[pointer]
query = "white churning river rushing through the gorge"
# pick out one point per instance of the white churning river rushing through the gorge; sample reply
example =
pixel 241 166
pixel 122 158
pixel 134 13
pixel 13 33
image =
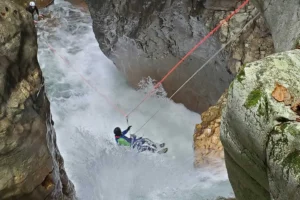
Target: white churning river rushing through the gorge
pixel 84 122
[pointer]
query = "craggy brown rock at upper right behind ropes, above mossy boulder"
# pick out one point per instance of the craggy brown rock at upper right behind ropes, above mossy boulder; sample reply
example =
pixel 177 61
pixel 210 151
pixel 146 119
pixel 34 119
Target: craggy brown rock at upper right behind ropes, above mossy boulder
pixel 254 43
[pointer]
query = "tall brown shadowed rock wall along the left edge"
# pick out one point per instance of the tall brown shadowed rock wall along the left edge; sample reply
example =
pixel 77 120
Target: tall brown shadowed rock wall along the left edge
pixel 31 166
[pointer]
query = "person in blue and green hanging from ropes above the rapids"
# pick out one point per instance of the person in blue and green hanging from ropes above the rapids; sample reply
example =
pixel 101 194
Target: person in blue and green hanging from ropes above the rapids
pixel 141 144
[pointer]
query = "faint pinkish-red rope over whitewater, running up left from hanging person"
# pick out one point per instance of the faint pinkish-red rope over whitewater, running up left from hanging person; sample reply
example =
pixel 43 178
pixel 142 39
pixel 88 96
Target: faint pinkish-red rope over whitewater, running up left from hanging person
pixel 87 82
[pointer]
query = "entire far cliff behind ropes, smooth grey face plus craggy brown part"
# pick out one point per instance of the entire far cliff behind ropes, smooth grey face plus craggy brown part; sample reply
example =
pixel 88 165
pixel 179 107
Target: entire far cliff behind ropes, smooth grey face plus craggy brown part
pixel 147 38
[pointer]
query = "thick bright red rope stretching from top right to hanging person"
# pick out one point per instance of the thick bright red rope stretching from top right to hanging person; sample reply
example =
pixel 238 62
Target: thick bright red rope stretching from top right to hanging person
pixel 189 53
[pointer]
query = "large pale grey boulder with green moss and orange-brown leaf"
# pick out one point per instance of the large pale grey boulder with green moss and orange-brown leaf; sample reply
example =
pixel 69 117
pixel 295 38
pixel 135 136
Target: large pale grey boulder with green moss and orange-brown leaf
pixel 260 131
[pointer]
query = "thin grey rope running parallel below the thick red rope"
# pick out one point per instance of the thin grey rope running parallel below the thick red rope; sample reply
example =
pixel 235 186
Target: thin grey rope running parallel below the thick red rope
pixel 205 64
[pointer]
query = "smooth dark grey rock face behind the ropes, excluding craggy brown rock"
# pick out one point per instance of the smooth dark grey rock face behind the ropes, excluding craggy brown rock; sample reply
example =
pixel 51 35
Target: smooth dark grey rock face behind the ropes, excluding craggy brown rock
pixel 147 38
